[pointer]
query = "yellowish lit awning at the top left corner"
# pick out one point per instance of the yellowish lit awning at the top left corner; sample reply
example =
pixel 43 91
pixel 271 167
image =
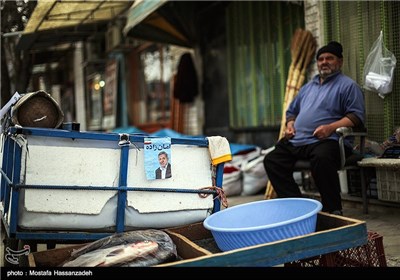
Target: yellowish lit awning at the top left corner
pixel 55 22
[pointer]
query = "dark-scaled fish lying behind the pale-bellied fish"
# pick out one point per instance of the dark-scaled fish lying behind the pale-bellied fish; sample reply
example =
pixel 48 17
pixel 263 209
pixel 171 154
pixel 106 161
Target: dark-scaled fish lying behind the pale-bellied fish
pixel 165 252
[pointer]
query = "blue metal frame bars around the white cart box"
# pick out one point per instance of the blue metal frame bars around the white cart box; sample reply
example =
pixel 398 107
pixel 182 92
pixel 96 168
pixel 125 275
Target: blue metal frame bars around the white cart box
pixel 10 186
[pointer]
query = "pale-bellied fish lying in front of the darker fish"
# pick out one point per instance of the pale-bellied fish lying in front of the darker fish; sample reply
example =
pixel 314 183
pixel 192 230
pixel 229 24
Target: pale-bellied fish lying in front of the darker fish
pixel 114 256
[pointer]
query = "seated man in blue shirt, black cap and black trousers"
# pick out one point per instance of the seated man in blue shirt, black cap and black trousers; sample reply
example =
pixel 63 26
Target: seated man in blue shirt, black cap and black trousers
pixel 330 100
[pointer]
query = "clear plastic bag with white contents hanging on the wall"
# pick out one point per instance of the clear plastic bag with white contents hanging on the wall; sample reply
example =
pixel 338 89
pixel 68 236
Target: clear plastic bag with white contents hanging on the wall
pixel 379 68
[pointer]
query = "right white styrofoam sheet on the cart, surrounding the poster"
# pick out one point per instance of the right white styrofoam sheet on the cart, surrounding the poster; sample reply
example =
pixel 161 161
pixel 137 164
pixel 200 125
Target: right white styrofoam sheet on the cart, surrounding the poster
pixel 191 169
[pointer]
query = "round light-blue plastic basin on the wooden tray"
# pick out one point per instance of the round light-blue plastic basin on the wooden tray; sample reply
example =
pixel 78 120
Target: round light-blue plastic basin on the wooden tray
pixel 262 222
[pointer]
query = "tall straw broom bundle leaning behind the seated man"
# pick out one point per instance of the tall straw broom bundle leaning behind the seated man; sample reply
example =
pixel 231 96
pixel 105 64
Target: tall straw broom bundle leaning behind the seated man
pixel 303 48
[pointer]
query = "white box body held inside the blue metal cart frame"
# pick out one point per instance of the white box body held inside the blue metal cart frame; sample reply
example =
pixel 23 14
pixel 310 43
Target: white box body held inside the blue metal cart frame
pixel 48 161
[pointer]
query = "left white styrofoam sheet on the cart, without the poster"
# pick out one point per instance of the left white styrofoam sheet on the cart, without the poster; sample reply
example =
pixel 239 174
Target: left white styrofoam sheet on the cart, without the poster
pixel 69 162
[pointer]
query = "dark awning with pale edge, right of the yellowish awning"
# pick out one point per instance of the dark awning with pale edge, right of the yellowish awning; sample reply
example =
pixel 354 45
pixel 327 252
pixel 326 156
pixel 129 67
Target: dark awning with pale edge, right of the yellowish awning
pixel 145 20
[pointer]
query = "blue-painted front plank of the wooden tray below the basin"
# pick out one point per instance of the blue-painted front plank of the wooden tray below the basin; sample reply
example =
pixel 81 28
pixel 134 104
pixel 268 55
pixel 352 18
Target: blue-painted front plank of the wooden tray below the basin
pixel 287 250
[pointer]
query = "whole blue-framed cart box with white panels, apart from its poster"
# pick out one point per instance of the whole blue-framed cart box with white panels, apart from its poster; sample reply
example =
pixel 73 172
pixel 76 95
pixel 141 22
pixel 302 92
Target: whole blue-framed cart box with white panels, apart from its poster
pixel 69 185
